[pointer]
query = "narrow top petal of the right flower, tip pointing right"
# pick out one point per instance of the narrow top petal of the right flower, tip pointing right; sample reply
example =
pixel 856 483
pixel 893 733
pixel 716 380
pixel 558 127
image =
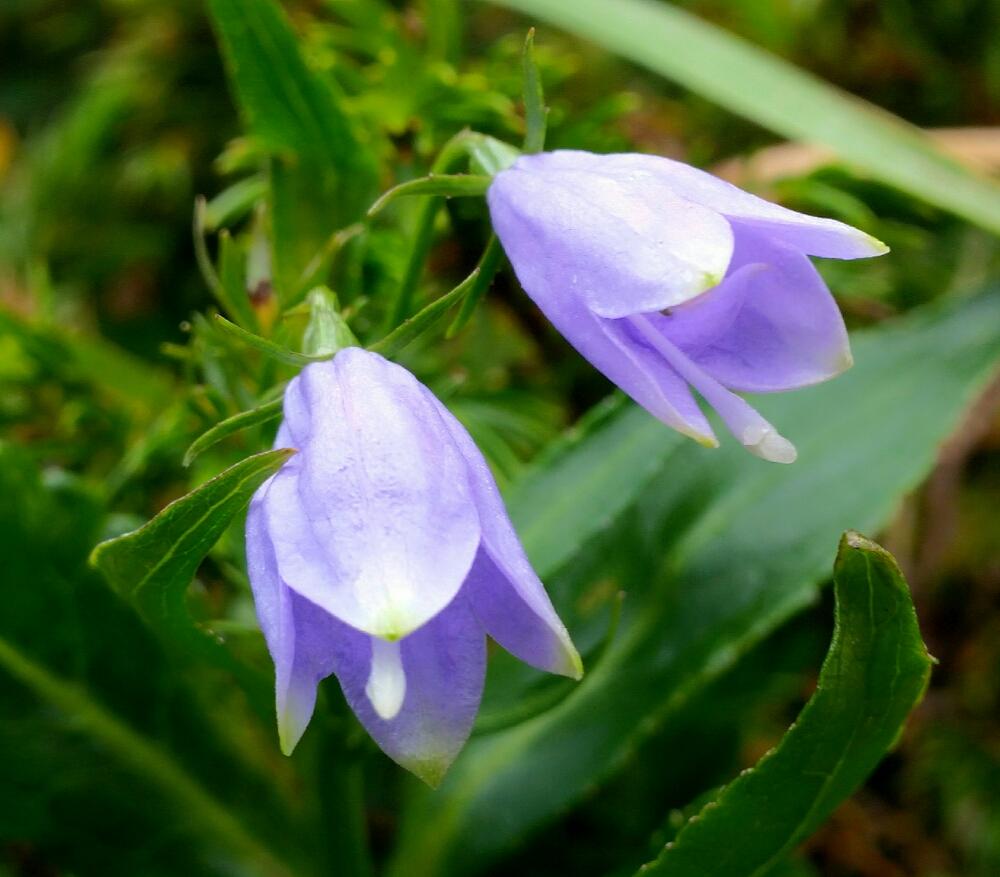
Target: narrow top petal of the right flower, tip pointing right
pixel 814 235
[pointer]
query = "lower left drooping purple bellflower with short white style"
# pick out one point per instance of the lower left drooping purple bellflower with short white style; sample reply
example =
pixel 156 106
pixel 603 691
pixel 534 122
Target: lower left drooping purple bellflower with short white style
pixel 382 553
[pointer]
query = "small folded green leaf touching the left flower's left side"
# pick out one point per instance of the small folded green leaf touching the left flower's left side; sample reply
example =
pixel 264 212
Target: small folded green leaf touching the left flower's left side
pixel 153 566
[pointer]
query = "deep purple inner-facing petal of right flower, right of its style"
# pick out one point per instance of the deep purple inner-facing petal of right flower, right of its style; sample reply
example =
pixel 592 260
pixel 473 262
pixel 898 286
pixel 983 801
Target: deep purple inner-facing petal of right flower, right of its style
pixel 771 325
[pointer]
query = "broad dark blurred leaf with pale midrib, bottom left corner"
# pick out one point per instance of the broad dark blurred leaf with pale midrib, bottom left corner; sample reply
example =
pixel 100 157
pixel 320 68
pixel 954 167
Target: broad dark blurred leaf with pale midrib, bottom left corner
pixel 99 717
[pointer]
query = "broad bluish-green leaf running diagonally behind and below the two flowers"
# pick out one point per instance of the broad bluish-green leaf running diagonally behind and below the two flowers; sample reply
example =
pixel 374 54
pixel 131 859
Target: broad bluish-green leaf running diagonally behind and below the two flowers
pixel 723 548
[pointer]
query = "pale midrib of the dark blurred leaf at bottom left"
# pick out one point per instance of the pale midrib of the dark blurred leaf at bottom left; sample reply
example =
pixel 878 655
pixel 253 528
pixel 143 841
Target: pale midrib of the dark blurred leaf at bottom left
pixel 145 760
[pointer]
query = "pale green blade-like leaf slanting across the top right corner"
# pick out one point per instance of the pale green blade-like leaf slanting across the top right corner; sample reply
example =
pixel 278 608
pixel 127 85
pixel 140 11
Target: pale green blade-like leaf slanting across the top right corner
pixel 774 93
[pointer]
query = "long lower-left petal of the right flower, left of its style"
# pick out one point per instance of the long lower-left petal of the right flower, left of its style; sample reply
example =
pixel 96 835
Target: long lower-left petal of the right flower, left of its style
pixel 538 265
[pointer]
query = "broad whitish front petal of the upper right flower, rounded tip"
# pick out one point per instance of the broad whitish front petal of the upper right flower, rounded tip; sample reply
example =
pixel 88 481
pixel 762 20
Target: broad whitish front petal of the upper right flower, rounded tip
pixel 621 243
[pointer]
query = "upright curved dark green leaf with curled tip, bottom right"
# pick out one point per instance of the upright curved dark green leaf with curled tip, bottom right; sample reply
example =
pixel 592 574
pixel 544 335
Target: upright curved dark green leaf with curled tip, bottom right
pixel 875 673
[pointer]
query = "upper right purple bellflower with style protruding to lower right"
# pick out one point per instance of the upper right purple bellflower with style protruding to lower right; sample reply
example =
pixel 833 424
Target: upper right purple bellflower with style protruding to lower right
pixel 668 279
